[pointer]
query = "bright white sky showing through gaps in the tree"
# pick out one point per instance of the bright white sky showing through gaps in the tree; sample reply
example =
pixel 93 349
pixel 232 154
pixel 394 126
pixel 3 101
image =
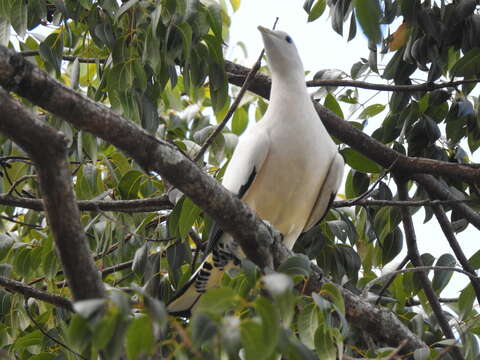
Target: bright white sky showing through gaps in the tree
pixel 321 48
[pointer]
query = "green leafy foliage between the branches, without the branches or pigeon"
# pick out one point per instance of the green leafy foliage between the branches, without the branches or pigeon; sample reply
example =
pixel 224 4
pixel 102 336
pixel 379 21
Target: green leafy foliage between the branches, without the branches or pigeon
pixel 161 65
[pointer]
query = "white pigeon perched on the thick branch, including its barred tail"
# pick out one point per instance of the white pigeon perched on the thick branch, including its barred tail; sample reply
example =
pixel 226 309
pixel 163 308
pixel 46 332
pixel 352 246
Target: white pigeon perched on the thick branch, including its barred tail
pixel 286 167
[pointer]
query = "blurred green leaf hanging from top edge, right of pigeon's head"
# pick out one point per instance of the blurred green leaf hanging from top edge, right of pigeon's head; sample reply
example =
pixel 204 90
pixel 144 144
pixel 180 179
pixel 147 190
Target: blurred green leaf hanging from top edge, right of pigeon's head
pixel 368 14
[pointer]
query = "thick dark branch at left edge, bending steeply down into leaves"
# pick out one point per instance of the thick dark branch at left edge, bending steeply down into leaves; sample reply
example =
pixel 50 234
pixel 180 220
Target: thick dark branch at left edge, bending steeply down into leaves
pixel 48 149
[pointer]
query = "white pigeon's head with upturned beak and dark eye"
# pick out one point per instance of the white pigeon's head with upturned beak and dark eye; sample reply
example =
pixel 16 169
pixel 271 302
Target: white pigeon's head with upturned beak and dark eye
pixel 282 54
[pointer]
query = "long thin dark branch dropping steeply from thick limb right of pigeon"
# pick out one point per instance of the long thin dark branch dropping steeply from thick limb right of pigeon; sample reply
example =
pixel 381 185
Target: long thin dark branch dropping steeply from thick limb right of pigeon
pixel 414 256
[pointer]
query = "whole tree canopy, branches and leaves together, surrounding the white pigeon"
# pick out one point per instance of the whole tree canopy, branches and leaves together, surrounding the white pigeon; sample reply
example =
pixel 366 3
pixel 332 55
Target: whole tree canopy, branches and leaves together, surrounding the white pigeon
pixel 113 109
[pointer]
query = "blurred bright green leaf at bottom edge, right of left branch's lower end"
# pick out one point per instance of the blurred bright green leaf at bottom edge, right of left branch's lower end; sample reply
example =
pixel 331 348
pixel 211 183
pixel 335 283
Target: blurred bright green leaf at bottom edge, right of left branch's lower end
pixel 139 339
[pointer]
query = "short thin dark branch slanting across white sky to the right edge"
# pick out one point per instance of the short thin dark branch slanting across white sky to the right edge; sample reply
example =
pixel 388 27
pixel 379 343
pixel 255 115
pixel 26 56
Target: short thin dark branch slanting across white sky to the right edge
pixel 452 240
